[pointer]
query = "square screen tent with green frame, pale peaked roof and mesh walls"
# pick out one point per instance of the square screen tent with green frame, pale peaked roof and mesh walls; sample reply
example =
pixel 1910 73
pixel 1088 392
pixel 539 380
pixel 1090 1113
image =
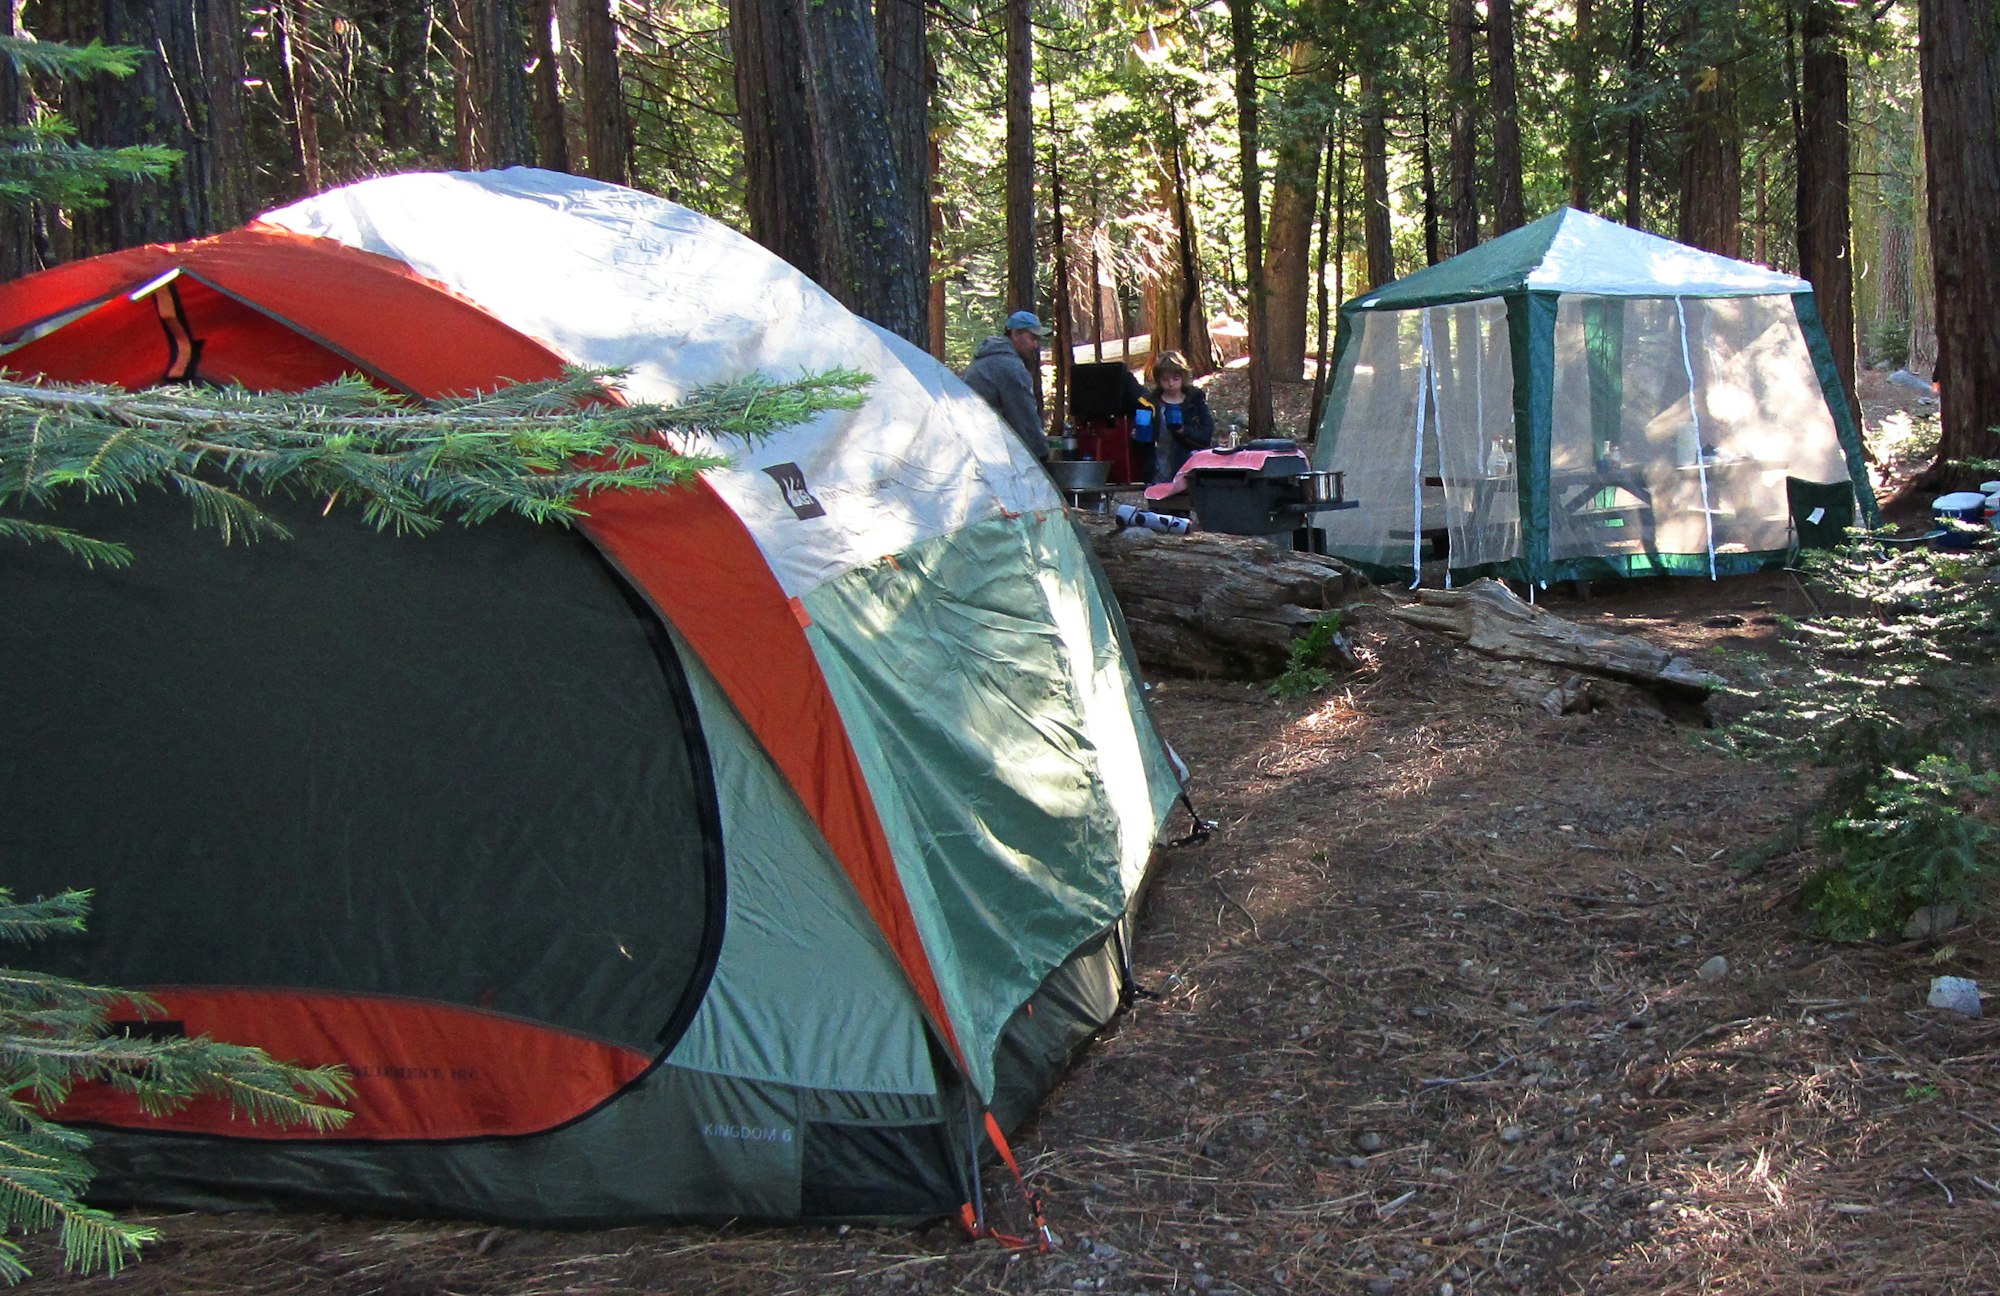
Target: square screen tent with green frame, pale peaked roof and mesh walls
pixel 1579 399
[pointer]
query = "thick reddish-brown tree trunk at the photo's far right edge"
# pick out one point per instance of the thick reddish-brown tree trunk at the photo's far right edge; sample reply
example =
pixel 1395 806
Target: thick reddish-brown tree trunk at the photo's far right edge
pixel 1959 57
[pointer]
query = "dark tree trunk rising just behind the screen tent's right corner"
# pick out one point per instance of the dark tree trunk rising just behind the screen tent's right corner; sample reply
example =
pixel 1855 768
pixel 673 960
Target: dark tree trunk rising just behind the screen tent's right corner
pixel 1823 185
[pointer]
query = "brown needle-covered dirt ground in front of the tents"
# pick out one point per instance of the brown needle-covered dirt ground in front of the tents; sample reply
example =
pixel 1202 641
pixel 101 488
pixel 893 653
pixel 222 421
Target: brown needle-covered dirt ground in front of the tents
pixel 1425 1017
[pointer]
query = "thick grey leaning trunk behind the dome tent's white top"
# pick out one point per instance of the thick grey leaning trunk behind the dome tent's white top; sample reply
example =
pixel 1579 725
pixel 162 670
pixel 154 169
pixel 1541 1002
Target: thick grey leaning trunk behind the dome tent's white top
pixel 869 247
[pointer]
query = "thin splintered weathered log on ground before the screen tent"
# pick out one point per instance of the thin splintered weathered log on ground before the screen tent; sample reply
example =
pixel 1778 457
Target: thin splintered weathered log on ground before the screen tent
pixel 1493 621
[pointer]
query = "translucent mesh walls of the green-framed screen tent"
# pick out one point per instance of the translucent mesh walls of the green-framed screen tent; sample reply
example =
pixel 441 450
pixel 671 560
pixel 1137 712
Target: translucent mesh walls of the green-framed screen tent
pixel 1675 425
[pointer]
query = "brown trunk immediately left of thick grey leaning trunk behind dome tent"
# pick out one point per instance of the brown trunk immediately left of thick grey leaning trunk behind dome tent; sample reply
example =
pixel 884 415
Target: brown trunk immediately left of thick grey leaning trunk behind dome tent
pixel 779 165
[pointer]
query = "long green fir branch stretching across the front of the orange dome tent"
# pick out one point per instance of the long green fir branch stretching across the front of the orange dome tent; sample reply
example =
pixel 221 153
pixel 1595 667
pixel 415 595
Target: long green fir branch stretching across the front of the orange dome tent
pixel 535 449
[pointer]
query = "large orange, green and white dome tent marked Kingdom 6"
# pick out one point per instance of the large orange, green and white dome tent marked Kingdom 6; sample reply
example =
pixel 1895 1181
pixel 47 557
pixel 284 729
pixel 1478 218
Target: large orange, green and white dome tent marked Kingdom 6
pixel 745 853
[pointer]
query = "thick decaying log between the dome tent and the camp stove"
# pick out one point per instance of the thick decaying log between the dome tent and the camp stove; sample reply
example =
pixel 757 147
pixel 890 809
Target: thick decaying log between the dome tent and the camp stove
pixel 1213 605
